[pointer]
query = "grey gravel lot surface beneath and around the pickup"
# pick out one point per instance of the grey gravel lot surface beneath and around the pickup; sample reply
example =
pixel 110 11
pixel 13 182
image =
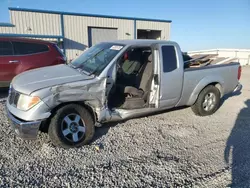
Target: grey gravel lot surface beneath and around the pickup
pixel 172 149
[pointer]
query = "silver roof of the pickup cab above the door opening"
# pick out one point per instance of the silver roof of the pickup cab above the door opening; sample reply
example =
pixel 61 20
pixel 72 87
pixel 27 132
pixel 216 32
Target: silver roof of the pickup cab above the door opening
pixel 143 41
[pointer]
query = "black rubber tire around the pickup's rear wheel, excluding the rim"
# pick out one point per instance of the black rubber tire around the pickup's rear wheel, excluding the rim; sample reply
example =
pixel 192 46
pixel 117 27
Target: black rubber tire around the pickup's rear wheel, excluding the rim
pixel 198 108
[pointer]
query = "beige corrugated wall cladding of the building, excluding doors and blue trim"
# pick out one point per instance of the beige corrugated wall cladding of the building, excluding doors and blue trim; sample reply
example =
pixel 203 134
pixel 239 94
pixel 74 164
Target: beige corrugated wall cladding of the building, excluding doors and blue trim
pixel 76 38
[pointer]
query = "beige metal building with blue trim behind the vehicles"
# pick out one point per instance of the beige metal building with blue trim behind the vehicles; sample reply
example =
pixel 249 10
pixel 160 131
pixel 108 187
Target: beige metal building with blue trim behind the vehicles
pixel 77 31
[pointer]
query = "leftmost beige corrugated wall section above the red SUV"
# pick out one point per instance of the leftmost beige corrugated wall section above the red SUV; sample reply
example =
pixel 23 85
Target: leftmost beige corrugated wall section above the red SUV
pixel 39 23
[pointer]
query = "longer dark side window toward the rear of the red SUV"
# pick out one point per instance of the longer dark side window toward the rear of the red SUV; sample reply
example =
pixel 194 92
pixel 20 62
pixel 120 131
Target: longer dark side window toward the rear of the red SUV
pixel 25 48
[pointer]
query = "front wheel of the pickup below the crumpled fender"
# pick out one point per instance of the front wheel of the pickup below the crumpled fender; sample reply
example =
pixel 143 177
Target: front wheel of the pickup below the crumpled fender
pixel 71 126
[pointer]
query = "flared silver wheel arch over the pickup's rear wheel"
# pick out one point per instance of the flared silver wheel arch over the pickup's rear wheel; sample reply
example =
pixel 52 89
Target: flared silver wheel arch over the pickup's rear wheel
pixel 216 80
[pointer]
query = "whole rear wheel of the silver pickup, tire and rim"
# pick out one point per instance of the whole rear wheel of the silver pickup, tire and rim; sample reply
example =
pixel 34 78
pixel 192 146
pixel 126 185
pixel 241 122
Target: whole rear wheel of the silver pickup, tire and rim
pixel 207 102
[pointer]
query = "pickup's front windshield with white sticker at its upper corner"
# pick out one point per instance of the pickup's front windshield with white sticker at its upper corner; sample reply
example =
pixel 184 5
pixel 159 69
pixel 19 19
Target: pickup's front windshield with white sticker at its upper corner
pixel 96 58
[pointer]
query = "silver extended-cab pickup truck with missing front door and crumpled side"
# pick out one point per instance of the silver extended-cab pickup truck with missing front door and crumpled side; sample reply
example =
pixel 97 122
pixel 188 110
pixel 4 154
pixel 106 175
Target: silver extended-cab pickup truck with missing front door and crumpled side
pixel 113 81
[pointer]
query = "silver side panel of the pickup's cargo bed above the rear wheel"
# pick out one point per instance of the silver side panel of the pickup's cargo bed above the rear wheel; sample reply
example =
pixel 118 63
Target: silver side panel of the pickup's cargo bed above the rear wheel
pixel 197 79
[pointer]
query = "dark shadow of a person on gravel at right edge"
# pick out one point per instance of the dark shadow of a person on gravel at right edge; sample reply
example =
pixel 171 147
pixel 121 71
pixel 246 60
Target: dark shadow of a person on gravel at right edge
pixel 239 143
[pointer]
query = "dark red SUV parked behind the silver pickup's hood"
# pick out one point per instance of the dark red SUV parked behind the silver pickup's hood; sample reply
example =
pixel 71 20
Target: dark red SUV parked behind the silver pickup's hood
pixel 21 54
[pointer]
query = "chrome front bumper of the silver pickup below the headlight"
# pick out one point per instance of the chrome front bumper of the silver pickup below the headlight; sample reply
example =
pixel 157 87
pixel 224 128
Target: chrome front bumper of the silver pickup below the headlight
pixel 25 130
